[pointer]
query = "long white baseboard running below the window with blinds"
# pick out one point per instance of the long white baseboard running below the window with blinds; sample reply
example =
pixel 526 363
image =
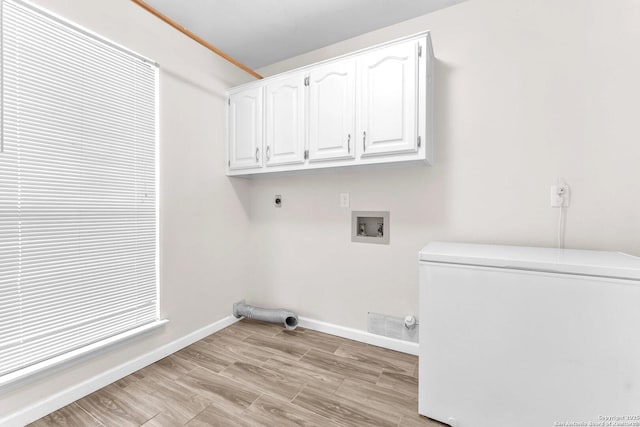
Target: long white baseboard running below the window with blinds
pixel 52 403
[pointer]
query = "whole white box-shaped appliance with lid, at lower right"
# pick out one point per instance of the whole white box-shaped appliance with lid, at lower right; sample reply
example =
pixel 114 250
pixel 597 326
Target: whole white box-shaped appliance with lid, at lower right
pixel 529 337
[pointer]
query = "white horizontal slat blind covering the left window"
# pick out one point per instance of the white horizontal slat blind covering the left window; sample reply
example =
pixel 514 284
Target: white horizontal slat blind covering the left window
pixel 78 216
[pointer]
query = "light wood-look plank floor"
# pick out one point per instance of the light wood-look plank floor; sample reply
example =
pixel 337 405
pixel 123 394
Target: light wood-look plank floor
pixel 257 374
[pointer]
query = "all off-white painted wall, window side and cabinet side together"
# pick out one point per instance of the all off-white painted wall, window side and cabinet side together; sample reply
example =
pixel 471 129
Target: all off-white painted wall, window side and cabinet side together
pixel 526 91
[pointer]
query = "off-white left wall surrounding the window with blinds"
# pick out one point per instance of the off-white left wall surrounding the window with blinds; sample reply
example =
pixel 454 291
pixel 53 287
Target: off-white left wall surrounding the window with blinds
pixel 203 214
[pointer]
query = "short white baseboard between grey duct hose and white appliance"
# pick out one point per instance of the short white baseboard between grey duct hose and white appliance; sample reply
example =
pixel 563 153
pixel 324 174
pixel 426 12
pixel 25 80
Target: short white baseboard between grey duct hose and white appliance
pixel 358 335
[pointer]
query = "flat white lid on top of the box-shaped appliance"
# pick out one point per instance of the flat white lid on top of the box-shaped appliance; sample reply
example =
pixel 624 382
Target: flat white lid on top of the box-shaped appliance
pixel 572 261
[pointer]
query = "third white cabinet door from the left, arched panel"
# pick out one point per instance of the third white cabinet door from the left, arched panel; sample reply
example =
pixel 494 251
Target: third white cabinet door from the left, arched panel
pixel 332 111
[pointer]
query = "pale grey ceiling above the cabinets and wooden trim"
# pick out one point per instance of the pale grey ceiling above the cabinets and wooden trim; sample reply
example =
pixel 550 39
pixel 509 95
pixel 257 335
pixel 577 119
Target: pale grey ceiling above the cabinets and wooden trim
pixel 262 32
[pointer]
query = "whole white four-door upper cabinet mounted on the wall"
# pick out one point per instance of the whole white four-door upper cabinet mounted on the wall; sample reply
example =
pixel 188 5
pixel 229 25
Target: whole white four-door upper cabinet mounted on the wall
pixel 370 107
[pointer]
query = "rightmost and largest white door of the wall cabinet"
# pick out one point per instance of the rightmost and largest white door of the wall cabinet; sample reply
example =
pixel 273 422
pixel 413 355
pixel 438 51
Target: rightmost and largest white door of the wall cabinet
pixel 389 99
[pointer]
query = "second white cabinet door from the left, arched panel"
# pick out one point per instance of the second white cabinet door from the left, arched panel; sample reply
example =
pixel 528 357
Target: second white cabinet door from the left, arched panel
pixel 285 121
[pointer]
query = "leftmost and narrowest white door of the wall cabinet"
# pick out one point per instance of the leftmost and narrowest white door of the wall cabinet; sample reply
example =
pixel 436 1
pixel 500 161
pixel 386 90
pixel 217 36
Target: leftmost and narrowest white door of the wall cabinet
pixel 245 129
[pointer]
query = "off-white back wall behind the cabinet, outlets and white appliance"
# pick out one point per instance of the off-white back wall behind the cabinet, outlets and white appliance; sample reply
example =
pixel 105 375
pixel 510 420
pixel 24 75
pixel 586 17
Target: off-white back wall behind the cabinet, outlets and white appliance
pixel 526 91
